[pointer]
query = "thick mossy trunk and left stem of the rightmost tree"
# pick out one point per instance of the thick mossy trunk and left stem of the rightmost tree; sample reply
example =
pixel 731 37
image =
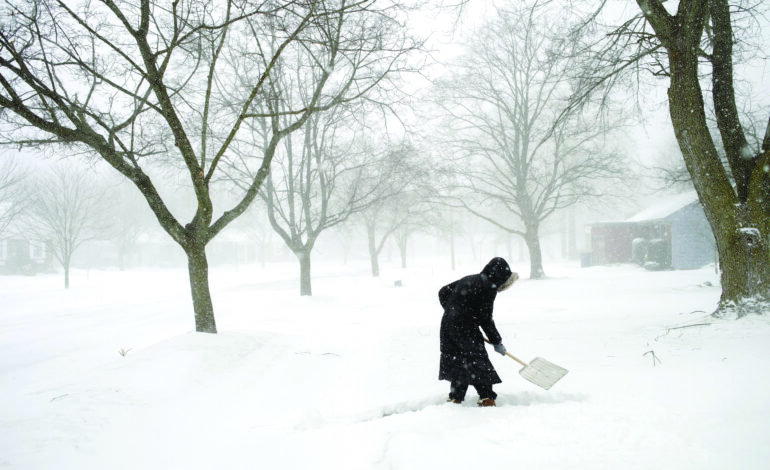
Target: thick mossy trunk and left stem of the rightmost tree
pixel 740 227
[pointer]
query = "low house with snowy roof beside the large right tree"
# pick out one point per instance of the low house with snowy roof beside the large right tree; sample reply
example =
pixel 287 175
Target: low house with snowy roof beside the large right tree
pixel 671 234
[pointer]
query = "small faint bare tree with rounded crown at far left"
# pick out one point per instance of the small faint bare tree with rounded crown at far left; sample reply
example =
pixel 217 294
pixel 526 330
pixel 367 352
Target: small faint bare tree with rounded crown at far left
pixel 67 208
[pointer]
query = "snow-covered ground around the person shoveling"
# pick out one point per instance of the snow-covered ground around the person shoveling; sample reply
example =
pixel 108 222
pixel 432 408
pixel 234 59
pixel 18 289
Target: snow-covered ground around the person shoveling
pixel 346 379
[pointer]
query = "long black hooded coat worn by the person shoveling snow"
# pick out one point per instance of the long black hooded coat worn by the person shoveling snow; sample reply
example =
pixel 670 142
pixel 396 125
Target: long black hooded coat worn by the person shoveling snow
pixel 468 305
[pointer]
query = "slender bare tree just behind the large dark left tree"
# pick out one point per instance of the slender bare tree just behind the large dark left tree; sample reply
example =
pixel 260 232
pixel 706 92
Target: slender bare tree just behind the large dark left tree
pixel 322 178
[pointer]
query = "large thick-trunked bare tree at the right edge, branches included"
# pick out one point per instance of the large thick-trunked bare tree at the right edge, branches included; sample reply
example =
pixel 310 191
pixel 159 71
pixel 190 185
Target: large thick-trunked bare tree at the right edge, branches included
pixel 693 45
